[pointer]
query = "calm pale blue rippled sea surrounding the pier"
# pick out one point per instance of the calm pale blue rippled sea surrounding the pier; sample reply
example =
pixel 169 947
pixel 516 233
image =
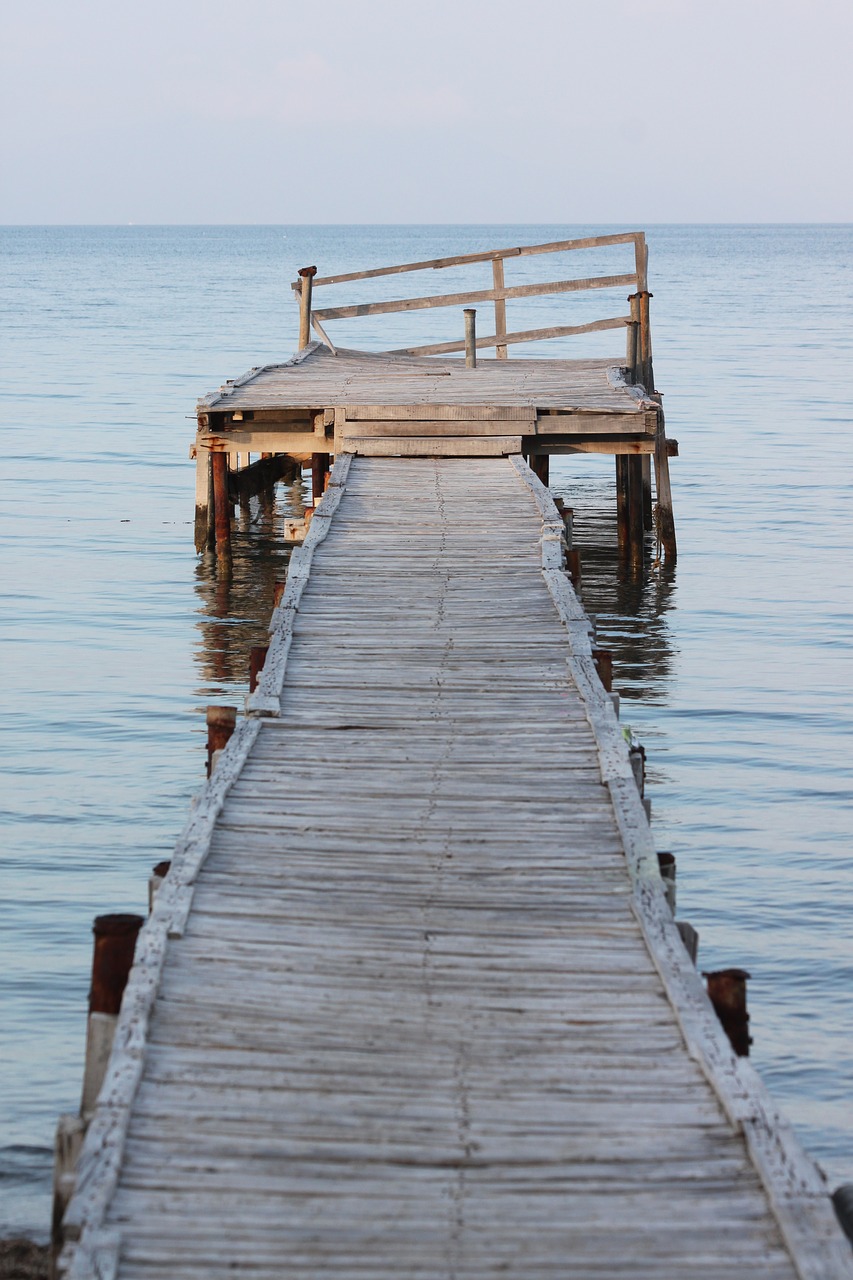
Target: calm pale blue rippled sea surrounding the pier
pixel 736 669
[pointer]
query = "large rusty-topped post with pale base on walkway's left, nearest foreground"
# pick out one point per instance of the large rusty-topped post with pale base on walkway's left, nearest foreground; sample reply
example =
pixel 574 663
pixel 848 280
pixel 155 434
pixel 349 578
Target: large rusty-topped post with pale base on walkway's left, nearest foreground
pixel 112 959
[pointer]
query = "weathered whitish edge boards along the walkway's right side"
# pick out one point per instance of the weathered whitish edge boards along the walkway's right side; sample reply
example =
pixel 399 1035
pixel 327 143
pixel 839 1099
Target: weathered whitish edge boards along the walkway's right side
pixel 796 1188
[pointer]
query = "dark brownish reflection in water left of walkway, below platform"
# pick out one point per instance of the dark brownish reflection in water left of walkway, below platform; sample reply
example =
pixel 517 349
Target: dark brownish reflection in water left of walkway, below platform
pixel 235 607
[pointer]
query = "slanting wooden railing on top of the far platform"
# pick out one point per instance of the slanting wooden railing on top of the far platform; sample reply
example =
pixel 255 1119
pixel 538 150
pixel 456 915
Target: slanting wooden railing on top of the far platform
pixel 638 346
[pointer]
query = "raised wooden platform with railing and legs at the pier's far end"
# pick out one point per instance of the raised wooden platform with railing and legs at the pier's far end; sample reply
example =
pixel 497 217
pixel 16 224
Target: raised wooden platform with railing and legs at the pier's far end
pixel 423 401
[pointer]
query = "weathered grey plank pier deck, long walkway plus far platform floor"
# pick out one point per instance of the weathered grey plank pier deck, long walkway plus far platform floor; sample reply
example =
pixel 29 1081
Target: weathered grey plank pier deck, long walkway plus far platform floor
pixel 412 1000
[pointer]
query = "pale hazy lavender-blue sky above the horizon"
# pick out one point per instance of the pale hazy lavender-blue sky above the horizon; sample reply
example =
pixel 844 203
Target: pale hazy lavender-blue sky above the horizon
pixel 444 111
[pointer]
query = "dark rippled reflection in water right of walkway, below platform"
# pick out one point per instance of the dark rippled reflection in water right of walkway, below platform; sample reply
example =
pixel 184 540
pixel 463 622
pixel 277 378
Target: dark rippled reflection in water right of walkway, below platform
pixel 630 609
